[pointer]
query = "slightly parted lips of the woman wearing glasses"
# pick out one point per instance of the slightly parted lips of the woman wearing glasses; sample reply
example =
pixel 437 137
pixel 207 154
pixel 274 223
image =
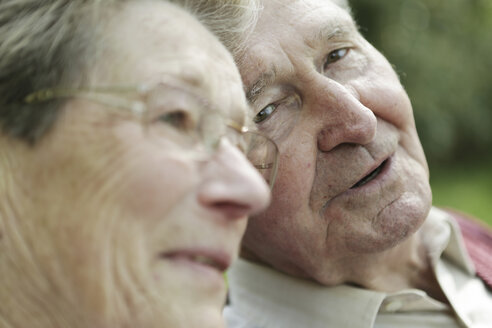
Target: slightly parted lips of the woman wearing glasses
pixel 216 260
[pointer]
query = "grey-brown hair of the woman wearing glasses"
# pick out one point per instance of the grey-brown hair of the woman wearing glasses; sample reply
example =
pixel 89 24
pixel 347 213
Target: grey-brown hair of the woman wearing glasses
pixel 44 44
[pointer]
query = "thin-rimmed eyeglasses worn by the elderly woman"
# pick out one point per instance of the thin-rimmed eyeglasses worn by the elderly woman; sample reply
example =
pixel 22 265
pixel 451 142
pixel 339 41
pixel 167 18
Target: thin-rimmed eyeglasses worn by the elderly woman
pixel 180 116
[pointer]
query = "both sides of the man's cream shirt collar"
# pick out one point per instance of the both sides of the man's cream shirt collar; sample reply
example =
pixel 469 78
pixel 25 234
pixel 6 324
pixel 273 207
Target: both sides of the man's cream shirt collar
pixel 262 295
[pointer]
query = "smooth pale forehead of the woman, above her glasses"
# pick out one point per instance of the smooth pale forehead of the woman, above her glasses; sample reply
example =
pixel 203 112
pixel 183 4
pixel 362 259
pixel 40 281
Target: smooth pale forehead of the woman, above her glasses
pixel 156 43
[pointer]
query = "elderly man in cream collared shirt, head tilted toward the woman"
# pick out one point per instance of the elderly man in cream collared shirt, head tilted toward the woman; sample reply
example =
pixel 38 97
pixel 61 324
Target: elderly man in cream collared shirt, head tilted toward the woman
pixel 351 238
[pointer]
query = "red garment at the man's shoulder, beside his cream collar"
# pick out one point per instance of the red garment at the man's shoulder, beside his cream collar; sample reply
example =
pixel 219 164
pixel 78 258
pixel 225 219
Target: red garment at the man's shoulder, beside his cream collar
pixel 478 242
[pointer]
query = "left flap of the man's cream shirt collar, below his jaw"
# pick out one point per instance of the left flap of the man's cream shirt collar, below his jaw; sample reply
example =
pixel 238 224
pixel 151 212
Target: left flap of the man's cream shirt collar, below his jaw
pixel 264 295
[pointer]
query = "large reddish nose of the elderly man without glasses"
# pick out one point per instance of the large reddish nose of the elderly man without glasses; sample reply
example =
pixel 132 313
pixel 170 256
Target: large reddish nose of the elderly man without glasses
pixel 343 117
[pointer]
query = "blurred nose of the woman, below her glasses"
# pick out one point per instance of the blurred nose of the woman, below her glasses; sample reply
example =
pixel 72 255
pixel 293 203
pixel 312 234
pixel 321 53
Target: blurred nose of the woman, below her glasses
pixel 232 185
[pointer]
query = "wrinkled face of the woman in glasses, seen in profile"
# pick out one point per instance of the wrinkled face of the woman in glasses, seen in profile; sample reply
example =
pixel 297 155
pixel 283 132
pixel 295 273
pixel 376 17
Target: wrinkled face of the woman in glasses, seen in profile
pixel 135 230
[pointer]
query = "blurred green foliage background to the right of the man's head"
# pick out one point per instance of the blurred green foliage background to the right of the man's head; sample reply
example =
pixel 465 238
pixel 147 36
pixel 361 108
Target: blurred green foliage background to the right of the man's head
pixel 442 51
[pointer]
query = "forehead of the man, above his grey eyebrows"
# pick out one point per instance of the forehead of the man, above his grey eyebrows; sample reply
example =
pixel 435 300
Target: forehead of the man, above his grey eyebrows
pixel 320 23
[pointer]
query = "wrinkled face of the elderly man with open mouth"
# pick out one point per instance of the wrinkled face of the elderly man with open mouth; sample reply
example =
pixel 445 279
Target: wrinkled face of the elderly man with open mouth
pixel 353 179
